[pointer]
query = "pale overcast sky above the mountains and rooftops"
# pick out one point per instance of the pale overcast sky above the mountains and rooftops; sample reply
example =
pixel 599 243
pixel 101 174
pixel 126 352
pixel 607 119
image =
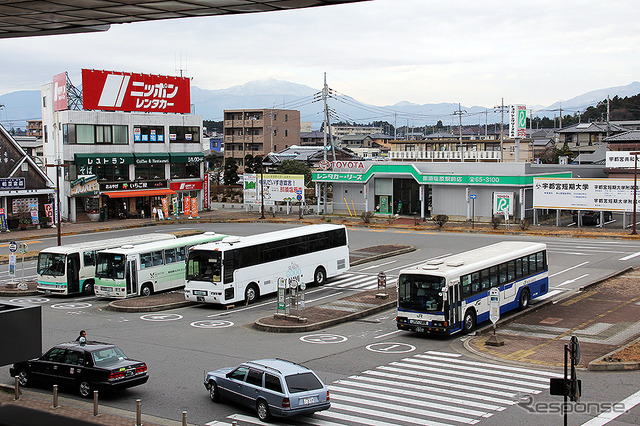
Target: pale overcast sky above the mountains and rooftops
pixel 379 52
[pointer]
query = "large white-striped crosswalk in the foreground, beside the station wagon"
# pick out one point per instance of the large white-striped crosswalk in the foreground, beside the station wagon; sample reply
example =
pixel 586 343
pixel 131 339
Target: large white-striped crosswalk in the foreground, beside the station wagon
pixel 430 388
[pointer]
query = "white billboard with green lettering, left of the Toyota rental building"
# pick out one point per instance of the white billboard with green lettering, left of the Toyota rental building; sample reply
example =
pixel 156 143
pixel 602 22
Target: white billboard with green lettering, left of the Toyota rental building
pixel 276 188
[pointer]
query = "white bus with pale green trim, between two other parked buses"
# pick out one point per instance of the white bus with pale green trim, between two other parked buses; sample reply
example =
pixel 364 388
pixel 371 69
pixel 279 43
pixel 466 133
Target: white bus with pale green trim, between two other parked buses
pixel 144 269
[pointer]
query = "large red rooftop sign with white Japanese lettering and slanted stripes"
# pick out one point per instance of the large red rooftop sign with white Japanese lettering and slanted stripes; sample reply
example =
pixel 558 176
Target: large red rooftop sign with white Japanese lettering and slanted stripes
pixel 120 91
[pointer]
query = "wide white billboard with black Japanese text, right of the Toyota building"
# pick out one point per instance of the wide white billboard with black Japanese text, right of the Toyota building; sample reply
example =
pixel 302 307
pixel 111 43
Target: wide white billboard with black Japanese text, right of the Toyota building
pixel 583 194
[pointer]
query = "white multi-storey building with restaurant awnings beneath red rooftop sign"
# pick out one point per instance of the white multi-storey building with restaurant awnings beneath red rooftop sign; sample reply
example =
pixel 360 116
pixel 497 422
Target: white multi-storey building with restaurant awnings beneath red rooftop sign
pixel 121 163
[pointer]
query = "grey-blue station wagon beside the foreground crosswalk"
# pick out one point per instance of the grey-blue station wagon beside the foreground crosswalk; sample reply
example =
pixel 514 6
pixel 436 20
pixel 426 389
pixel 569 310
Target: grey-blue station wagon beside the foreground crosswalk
pixel 273 387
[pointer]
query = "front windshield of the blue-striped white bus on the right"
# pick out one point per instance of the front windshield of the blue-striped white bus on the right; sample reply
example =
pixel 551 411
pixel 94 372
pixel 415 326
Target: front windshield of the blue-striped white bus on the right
pixel 420 292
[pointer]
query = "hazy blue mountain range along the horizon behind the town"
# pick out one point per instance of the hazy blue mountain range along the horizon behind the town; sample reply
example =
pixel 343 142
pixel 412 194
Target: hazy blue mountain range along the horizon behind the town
pixel 270 93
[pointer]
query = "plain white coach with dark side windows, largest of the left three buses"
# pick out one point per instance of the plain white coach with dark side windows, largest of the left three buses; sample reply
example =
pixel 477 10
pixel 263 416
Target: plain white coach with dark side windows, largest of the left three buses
pixel 245 268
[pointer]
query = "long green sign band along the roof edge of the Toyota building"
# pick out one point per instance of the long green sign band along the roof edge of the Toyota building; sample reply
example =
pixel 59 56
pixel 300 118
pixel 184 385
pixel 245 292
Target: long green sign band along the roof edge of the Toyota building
pixel 452 179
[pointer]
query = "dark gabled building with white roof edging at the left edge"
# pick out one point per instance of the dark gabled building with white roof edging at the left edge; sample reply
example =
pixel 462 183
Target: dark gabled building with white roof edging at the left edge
pixel 24 187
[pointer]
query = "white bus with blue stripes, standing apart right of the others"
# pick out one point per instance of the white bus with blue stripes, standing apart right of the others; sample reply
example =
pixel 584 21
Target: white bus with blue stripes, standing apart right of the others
pixel 451 294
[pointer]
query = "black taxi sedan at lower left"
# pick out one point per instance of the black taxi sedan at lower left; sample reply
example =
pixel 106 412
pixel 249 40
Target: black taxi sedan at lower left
pixel 84 366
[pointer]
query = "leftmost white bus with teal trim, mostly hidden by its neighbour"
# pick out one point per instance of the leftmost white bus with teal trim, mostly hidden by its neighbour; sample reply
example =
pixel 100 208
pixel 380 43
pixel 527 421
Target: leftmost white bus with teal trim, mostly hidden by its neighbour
pixel 71 268
